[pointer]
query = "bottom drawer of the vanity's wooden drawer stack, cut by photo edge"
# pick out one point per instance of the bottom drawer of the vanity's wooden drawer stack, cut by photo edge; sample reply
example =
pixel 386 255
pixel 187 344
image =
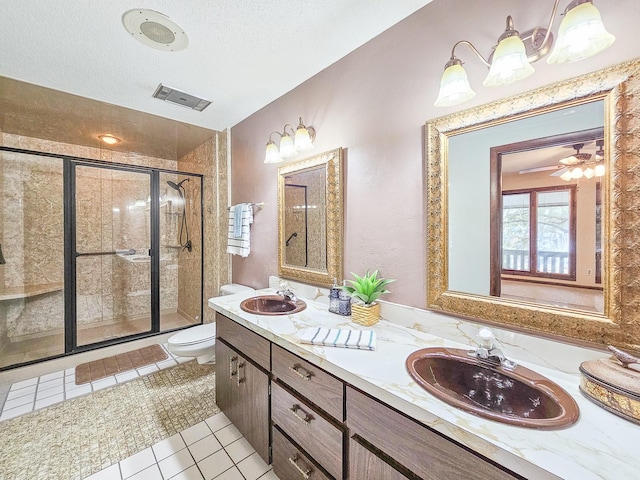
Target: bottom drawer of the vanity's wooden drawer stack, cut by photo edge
pixel 290 463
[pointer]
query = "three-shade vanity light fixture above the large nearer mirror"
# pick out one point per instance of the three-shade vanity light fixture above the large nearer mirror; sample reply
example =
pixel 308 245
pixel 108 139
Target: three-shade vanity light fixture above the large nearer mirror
pixel 581 35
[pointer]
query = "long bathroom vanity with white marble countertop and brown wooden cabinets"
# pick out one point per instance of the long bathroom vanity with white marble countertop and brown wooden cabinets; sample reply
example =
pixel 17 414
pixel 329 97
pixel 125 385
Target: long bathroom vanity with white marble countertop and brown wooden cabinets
pixel 339 413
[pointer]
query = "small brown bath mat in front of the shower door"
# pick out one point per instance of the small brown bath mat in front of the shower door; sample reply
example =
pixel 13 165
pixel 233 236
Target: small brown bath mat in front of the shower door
pixel 105 367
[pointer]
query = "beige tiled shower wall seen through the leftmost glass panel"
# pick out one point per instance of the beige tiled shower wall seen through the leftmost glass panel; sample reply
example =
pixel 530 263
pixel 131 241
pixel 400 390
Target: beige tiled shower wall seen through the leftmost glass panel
pixel 32 240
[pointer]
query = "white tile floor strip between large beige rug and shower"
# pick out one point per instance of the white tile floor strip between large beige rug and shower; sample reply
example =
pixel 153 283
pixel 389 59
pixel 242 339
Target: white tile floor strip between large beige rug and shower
pixel 39 392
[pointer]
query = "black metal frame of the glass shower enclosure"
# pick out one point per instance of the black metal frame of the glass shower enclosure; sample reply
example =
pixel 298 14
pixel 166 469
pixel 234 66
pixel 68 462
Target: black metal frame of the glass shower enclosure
pixel 70 307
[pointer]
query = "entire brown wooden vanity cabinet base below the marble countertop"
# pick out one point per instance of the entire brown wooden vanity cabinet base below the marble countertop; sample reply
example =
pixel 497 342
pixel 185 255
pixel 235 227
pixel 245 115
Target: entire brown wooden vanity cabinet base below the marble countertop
pixel 322 428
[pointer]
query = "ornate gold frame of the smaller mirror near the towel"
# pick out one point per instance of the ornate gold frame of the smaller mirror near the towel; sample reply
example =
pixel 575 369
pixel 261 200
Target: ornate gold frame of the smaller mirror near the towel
pixel 332 160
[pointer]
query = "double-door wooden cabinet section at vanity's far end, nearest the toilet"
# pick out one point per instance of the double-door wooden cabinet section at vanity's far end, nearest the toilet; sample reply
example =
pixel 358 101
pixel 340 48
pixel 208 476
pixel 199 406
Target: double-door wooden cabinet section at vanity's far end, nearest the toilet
pixel 242 383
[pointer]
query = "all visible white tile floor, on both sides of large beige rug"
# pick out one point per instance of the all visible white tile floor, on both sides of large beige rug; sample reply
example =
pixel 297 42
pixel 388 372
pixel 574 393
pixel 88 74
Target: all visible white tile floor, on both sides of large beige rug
pixel 213 449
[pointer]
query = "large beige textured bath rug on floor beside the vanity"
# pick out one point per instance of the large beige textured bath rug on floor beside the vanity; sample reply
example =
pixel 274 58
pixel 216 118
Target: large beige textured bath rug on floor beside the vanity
pixel 81 436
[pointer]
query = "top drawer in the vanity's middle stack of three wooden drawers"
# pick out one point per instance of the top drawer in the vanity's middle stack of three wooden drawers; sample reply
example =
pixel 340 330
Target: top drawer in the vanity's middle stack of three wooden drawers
pixel 325 391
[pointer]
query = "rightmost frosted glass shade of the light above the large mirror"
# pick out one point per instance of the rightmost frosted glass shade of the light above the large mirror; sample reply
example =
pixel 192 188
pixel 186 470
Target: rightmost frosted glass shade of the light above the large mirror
pixel 581 35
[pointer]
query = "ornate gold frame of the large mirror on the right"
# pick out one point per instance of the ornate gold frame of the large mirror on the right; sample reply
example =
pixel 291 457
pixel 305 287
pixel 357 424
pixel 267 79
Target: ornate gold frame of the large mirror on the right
pixel 619 87
